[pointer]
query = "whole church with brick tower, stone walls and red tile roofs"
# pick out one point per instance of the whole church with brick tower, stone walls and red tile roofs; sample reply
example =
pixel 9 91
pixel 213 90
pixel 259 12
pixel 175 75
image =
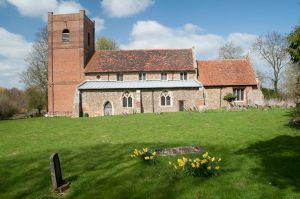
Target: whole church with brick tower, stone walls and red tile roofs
pixel 112 82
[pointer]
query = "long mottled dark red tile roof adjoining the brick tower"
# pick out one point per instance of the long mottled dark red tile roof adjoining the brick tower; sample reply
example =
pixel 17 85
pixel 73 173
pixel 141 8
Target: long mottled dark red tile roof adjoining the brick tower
pixel 141 60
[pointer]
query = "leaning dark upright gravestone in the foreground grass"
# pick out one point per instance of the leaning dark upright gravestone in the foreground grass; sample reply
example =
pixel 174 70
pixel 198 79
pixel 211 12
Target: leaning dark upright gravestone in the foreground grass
pixel 58 184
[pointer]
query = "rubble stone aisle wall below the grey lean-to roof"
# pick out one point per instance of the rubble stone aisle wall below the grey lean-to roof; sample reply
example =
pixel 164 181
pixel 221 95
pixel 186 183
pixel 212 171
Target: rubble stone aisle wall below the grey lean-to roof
pixel 146 101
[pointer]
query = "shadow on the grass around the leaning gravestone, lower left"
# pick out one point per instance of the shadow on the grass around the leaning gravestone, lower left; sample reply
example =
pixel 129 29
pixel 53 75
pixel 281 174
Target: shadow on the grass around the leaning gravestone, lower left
pixel 101 171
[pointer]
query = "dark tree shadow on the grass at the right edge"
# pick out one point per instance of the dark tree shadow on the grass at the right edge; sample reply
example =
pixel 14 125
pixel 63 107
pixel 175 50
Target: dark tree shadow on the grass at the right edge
pixel 280 161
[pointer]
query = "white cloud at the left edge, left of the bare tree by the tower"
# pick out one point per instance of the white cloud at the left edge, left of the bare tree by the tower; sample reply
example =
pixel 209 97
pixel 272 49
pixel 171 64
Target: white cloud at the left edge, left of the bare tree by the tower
pixel 13 50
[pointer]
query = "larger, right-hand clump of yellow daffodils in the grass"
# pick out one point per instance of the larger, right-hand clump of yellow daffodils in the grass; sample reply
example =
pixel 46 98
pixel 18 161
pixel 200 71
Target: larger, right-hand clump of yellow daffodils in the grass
pixel 204 166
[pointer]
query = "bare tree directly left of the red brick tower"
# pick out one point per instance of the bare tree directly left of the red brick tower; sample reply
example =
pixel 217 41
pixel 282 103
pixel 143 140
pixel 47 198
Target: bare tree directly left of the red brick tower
pixel 36 74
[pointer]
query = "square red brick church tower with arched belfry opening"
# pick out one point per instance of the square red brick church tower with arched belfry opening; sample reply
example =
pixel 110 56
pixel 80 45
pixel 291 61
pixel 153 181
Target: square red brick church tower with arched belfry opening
pixel 70 46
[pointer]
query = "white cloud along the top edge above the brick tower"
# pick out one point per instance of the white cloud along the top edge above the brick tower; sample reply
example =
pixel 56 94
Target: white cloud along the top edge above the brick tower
pixel 40 8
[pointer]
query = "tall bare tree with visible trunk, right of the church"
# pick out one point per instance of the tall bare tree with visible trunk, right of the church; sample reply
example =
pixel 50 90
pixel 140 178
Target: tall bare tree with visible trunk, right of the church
pixel 273 49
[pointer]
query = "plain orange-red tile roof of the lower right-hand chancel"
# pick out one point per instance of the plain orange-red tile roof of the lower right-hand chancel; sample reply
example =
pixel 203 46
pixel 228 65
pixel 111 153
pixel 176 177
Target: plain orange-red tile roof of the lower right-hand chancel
pixel 227 72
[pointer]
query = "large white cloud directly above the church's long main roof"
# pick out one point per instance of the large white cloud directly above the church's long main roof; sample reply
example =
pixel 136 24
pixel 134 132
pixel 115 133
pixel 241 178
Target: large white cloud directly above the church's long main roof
pixel 151 34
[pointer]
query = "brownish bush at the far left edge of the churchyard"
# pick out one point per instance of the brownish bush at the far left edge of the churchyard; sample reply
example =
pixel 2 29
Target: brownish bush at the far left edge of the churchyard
pixel 7 107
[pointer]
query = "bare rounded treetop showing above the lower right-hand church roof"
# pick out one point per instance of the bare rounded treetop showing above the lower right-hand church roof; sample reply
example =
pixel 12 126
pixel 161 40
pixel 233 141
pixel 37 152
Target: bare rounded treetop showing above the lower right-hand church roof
pixel 230 51
